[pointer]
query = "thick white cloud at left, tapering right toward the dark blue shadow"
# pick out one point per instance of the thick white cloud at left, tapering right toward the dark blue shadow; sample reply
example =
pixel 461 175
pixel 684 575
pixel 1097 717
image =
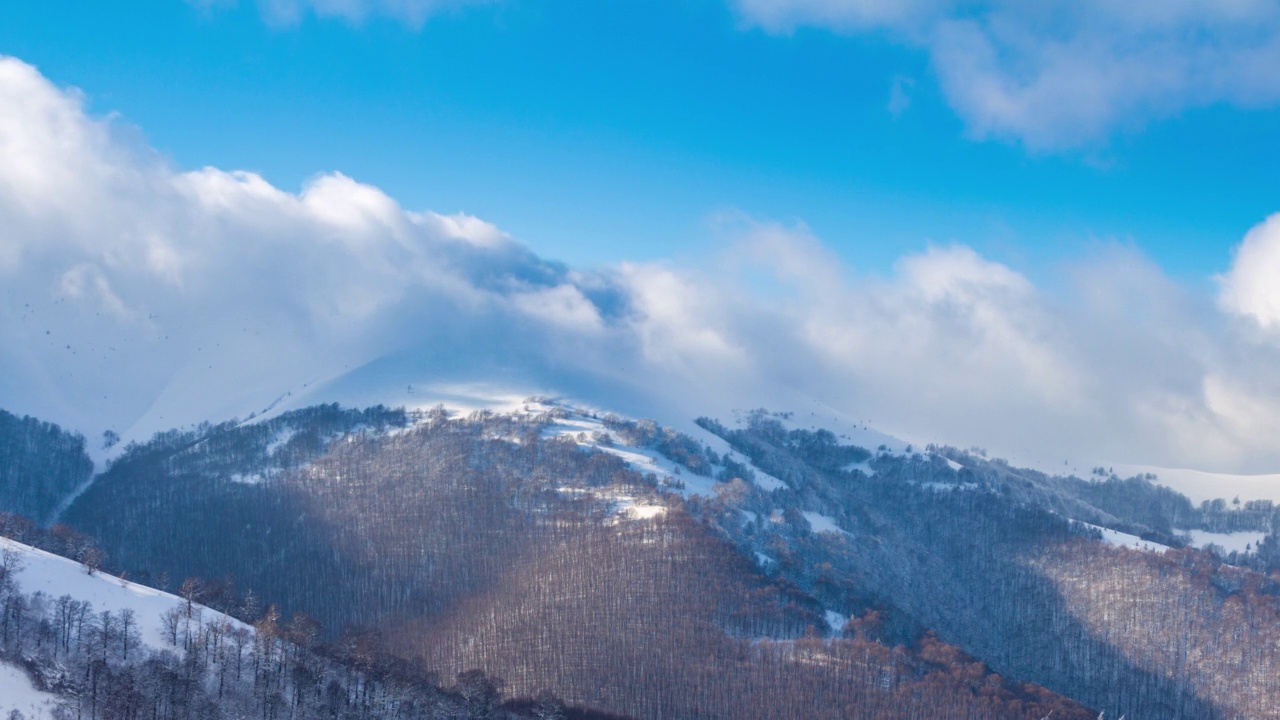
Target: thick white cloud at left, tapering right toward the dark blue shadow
pixel 126 280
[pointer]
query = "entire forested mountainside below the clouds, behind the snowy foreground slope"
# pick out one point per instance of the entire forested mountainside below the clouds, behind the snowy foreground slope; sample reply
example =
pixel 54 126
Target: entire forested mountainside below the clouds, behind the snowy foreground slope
pixel 756 567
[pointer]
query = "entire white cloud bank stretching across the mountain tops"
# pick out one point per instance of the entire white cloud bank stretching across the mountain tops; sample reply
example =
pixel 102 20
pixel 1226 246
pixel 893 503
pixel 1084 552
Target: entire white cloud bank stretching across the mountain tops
pixel 140 297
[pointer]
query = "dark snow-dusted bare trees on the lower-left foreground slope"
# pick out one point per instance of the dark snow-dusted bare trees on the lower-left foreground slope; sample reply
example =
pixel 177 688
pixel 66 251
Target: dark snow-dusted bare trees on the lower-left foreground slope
pixel 195 678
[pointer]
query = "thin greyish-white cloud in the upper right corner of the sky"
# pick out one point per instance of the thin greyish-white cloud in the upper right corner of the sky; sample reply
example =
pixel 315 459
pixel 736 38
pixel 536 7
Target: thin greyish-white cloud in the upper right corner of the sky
pixel 1067 74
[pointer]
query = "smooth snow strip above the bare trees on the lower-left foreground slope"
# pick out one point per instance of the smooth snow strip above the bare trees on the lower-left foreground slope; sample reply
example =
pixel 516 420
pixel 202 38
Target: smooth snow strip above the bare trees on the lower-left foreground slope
pixel 58 576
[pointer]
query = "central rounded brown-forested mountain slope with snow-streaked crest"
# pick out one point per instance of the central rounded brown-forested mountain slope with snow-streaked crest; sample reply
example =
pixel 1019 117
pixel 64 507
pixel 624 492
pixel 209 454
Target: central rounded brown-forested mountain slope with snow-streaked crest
pixel 546 546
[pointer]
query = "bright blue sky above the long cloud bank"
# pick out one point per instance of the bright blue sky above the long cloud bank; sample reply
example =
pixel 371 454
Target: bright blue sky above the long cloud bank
pixel 598 133
